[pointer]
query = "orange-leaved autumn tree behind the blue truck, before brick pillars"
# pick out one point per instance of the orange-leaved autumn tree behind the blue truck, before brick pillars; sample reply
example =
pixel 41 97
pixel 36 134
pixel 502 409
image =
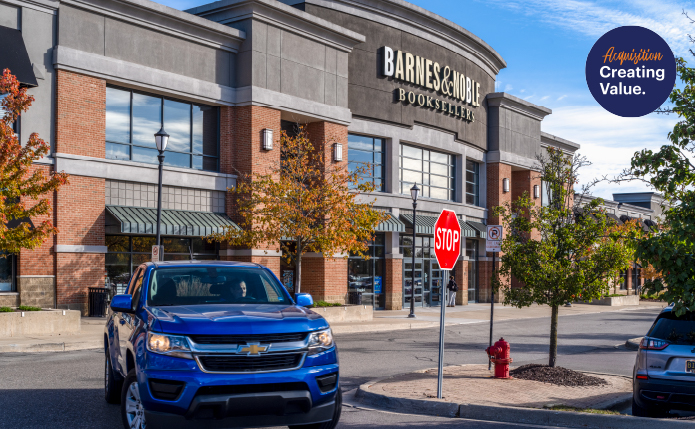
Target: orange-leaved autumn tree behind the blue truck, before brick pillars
pixel 306 204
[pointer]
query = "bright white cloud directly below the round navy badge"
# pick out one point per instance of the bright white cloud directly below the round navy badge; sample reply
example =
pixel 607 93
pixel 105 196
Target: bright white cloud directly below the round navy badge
pixel 608 141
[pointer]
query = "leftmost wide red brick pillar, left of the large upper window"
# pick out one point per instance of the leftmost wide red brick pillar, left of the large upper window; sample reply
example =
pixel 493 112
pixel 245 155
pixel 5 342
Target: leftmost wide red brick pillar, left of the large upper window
pixel 79 208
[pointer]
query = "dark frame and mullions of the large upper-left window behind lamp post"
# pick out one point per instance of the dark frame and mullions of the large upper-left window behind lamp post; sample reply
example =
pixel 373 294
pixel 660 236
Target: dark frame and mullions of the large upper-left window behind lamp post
pixel 130 144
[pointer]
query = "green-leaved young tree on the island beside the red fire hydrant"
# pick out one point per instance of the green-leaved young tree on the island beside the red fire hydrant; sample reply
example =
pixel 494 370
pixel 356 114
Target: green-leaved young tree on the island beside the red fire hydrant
pixel 560 252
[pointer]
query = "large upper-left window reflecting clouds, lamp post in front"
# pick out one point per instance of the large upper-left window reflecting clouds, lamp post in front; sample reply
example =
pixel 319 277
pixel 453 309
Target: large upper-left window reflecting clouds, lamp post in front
pixel 133 118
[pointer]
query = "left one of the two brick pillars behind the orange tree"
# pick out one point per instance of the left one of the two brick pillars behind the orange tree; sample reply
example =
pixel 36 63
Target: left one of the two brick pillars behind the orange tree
pixel 241 153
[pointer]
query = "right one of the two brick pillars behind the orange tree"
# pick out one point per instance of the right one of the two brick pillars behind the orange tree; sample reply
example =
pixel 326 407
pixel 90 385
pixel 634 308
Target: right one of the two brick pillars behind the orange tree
pixel 326 278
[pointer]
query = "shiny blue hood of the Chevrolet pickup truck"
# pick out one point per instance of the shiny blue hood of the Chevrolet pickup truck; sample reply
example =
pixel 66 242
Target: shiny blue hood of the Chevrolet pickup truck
pixel 226 319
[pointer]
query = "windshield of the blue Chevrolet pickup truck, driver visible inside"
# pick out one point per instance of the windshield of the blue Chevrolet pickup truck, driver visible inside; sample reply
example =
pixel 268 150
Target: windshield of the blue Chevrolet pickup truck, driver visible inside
pixel 213 285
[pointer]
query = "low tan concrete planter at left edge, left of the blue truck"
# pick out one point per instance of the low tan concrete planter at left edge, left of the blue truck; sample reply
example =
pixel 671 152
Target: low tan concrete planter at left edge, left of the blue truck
pixel 46 322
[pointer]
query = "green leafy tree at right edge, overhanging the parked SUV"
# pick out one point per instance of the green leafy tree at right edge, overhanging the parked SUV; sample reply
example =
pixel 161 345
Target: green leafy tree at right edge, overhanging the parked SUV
pixel 670 171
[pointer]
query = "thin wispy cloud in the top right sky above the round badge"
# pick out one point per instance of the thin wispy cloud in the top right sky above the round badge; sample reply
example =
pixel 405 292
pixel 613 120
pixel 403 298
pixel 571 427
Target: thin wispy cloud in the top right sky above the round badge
pixel 594 18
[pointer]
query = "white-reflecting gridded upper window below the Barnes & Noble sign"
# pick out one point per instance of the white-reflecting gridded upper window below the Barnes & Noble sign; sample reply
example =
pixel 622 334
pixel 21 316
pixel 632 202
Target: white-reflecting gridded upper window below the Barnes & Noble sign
pixel 434 172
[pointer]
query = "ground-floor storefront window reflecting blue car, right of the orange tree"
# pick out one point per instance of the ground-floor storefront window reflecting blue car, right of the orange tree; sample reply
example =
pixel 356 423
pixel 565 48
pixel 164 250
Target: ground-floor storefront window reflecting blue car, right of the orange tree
pixel 367 276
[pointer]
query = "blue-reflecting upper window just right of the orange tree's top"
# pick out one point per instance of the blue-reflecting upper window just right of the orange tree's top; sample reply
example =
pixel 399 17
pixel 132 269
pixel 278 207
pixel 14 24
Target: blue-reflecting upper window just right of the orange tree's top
pixel 367 153
